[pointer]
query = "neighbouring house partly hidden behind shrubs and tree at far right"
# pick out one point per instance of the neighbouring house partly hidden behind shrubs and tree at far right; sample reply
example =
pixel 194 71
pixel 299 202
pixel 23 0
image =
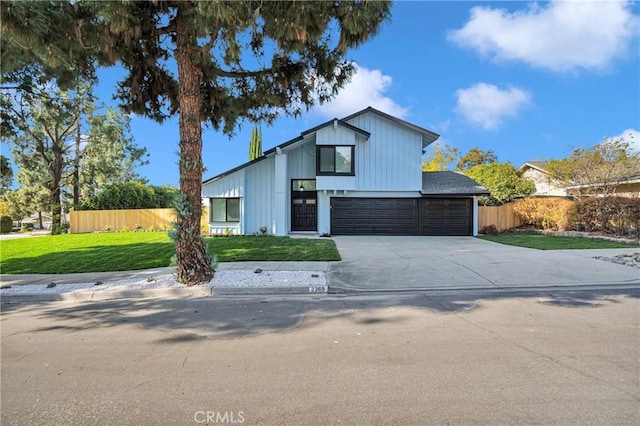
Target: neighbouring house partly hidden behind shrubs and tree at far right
pixel 545 185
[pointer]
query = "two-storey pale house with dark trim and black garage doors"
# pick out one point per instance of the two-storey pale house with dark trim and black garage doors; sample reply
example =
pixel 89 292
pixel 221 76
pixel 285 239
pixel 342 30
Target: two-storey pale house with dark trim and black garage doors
pixel 360 175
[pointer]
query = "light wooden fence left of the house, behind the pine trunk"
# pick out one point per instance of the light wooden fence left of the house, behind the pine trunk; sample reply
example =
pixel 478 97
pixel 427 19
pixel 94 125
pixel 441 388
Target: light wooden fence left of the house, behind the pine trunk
pixel 124 220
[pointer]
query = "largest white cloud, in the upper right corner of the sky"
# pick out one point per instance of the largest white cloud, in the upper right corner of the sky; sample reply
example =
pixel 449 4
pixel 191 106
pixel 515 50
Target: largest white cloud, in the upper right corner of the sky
pixel 560 36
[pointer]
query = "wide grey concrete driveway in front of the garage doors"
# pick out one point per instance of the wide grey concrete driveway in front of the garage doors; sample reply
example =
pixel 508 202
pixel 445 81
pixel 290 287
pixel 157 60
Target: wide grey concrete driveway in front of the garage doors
pixel 371 263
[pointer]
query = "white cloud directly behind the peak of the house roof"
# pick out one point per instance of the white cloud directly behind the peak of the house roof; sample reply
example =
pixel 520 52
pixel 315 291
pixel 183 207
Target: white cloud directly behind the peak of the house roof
pixel 366 88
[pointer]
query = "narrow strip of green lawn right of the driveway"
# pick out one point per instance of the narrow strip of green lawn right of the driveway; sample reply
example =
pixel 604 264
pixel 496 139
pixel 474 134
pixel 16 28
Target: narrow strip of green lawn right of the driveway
pixel 550 242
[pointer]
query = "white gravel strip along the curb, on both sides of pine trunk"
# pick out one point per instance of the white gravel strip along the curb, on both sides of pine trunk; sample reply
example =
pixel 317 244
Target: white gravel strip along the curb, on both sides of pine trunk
pixel 222 279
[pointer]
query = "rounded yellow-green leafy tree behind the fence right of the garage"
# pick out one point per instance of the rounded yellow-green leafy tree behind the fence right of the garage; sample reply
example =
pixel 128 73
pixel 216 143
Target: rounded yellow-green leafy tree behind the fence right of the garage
pixel 503 181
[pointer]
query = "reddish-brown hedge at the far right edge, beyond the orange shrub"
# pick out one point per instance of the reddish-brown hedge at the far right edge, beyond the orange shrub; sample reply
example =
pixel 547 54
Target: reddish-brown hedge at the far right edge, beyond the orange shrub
pixel 619 216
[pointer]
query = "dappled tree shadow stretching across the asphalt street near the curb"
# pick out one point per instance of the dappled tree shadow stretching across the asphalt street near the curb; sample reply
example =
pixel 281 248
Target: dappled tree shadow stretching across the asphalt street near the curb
pixel 187 320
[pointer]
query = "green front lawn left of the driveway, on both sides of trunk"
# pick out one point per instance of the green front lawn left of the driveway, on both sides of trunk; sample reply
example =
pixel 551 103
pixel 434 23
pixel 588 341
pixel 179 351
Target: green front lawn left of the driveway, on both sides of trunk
pixel 123 251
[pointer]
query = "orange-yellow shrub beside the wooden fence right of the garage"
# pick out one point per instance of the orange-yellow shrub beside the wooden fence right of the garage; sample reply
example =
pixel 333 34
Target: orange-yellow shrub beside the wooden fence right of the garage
pixel 546 213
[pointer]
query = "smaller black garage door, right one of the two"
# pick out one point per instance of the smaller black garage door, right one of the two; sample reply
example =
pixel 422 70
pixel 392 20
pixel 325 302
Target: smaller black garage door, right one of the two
pixel 446 216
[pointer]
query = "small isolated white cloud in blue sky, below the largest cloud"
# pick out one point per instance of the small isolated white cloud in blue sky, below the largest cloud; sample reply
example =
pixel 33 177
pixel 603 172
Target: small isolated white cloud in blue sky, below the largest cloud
pixel 486 105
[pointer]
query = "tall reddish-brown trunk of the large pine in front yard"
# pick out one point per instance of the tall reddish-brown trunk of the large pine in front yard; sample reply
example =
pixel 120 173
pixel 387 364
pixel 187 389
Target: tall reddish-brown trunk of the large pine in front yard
pixel 194 265
